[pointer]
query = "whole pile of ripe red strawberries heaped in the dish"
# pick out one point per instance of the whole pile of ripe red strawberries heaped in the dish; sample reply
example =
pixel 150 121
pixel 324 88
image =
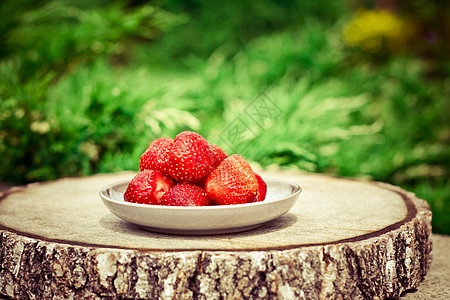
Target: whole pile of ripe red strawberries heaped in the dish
pixel 188 171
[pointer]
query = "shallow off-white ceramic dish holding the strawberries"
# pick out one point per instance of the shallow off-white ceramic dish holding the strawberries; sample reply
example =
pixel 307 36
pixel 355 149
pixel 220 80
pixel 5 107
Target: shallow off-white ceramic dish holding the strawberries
pixel 217 219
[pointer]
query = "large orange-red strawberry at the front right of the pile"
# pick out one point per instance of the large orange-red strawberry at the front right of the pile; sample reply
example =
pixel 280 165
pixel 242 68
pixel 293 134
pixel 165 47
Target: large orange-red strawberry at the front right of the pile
pixel 232 182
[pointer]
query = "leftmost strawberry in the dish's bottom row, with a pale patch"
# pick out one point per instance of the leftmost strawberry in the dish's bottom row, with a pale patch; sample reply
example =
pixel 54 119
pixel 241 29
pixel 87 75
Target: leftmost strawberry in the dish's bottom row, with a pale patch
pixel 147 187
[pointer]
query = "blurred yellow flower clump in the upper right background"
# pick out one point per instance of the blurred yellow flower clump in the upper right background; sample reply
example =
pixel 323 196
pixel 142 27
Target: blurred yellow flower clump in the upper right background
pixel 377 30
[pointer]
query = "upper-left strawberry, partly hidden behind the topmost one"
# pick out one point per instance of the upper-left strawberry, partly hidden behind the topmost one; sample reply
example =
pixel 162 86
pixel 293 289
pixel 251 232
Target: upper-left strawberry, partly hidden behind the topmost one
pixel 157 156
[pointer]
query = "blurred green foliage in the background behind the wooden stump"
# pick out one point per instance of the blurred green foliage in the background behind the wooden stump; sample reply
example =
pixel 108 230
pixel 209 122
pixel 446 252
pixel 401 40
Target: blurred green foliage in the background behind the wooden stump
pixel 86 85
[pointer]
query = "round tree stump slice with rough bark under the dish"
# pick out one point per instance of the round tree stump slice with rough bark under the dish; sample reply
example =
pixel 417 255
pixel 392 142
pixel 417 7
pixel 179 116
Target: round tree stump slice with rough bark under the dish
pixel 343 238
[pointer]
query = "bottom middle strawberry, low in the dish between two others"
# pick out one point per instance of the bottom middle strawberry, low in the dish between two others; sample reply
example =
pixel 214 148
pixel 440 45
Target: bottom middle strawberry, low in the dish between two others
pixel 185 194
